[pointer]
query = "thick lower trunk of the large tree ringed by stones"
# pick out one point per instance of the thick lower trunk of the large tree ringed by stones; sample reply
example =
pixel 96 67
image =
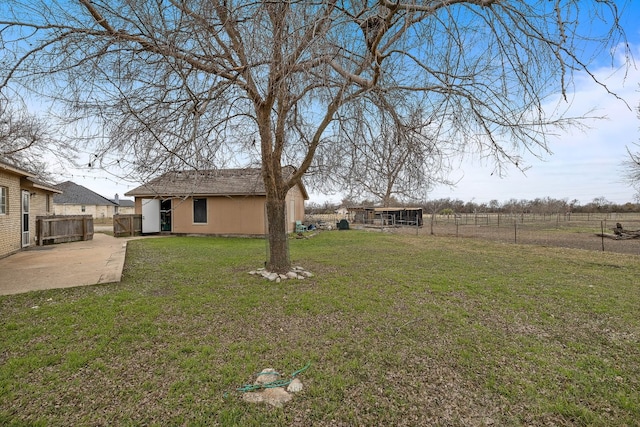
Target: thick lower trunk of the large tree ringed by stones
pixel 279 260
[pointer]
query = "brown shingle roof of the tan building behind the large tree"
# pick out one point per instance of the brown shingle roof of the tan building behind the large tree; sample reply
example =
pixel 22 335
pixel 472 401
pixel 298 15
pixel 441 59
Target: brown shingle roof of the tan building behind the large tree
pixel 221 182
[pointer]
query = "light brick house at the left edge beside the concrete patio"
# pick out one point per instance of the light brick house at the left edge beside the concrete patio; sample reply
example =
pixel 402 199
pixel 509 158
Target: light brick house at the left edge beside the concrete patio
pixel 22 198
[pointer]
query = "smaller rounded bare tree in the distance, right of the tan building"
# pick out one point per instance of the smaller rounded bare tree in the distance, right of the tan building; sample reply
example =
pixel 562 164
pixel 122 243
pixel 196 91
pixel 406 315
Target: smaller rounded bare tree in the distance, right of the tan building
pixel 386 156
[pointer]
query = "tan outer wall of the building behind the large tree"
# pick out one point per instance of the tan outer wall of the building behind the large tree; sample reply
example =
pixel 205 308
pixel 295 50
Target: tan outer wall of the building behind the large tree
pixel 238 215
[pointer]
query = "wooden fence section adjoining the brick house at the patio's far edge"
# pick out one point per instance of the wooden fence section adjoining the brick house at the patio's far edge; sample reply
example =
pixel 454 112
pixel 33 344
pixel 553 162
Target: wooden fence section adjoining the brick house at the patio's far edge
pixel 60 229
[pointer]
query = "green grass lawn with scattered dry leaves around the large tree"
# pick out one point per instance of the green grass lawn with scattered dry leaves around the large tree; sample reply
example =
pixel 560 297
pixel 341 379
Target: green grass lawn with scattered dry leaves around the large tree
pixel 399 330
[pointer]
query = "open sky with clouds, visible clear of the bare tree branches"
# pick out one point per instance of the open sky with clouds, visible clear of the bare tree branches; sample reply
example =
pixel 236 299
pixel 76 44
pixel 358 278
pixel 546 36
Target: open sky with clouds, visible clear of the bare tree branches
pixel 583 164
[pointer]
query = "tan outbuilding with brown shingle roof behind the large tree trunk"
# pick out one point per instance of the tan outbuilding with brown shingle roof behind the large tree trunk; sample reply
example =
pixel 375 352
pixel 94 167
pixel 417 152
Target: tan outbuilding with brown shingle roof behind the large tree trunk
pixel 218 202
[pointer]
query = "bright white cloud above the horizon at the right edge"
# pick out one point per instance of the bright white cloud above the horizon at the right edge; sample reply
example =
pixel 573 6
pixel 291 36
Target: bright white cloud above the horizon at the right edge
pixel 584 164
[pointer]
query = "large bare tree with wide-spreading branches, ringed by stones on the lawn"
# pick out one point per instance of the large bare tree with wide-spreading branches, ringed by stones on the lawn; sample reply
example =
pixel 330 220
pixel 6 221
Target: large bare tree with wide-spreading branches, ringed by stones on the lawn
pixel 188 82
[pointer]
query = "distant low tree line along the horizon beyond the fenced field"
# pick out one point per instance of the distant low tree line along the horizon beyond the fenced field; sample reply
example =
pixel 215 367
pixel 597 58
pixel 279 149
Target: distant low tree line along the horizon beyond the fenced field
pixel 513 206
